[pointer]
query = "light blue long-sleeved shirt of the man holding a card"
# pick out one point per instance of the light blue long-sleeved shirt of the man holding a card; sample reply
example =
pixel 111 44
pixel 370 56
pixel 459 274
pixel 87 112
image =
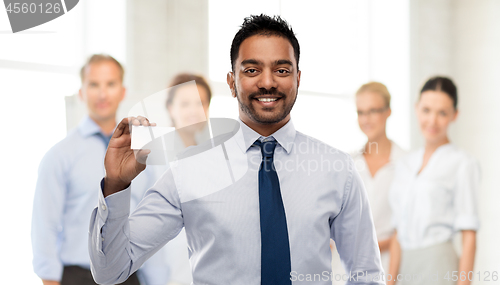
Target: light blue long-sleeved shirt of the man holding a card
pixel 214 196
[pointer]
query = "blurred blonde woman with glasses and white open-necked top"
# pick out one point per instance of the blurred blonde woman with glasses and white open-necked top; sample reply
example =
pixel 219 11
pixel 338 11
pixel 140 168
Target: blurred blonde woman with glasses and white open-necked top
pixel 375 162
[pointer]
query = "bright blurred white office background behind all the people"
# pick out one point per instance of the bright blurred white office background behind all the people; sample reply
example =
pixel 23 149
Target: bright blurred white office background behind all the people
pixel 344 44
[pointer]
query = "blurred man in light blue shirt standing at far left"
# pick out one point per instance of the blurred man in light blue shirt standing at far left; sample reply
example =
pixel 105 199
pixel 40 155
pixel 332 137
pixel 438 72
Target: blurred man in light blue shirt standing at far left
pixel 68 182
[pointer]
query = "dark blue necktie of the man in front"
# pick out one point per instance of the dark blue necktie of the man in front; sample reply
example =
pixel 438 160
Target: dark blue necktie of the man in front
pixel 275 250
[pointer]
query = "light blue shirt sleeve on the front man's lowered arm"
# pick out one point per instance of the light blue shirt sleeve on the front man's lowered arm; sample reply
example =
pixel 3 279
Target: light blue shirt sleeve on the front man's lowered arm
pixel 354 234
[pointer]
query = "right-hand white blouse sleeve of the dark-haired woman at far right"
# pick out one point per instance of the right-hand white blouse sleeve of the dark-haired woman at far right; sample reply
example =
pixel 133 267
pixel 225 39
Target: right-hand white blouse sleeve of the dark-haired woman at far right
pixel 465 204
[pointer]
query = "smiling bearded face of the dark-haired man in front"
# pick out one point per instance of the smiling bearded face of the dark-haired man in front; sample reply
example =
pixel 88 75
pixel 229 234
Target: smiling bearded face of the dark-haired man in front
pixel 265 79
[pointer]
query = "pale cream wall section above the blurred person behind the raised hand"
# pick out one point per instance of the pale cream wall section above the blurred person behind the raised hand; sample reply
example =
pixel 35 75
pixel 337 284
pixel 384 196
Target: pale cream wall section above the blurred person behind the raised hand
pixel 163 39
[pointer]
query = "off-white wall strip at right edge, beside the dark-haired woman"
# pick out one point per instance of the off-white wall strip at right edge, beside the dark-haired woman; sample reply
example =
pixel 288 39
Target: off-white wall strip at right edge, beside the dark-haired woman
pixel 476 69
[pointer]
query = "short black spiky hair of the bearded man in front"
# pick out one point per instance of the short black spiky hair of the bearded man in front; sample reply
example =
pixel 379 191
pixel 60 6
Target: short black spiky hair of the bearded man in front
pixel 264 25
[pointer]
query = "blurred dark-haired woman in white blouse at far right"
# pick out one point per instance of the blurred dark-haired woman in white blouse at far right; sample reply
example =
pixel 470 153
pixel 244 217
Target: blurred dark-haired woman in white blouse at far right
pixel 433 197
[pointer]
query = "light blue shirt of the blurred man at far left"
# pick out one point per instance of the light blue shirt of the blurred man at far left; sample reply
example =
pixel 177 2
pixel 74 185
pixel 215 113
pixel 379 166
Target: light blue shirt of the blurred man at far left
pixel 66 191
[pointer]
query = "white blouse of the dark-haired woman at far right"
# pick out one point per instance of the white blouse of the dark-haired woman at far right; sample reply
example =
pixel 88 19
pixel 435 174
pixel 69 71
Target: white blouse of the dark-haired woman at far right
pixel 431 206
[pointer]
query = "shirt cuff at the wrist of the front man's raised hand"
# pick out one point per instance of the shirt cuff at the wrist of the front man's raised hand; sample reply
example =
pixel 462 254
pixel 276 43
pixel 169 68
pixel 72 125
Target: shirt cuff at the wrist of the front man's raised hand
pixel 114 206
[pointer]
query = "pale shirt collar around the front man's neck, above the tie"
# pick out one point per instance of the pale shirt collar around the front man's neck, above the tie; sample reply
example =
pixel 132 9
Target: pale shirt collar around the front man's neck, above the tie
pixel 285 136
